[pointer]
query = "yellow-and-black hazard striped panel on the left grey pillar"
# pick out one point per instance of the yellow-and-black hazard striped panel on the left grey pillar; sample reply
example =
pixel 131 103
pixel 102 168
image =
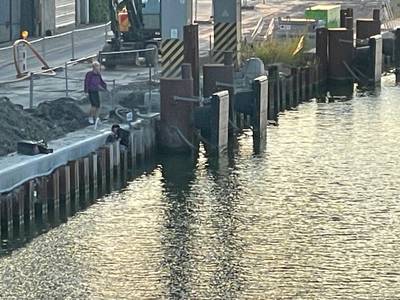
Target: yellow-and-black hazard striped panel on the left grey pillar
pixel 172 54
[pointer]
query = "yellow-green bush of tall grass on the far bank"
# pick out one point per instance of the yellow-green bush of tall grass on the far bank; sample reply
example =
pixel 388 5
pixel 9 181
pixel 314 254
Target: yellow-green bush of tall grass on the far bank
pixel 275 51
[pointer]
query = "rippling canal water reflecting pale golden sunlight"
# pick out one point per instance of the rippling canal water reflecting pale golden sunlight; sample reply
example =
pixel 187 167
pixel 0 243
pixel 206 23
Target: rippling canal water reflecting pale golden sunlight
pixel 314 216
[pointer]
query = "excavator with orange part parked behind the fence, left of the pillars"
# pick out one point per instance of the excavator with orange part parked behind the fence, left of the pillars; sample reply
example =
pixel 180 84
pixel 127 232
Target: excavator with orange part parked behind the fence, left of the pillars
pixel 136 25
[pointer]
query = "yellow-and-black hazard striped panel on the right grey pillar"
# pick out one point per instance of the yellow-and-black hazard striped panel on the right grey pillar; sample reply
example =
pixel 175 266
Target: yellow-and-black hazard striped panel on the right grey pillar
pixel 225 39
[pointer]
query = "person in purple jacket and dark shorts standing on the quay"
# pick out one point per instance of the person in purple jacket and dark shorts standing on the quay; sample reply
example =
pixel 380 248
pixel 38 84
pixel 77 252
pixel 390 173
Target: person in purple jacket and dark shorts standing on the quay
pixel 93 84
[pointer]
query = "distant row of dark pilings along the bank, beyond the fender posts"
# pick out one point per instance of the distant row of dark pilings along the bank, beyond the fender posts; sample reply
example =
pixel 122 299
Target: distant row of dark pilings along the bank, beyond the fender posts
pixel 287 91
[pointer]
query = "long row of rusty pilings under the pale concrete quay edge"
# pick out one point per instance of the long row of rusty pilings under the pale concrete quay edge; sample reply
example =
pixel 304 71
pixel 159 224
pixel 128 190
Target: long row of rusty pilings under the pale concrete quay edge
pixel 47 201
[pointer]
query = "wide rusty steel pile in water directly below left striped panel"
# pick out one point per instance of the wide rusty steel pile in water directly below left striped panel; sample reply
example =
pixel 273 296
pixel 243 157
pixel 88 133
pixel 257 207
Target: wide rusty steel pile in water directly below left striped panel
pixel 176 126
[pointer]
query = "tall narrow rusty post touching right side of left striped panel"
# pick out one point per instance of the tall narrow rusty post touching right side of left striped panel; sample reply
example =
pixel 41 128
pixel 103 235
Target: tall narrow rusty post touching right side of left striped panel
pixel 191 55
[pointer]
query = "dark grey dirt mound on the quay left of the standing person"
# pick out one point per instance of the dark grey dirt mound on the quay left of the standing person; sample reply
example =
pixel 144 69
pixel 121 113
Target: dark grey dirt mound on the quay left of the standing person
pixel 49 121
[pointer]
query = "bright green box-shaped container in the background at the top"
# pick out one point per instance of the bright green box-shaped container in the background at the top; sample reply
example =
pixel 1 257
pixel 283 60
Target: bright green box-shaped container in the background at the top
pixel 328 14
